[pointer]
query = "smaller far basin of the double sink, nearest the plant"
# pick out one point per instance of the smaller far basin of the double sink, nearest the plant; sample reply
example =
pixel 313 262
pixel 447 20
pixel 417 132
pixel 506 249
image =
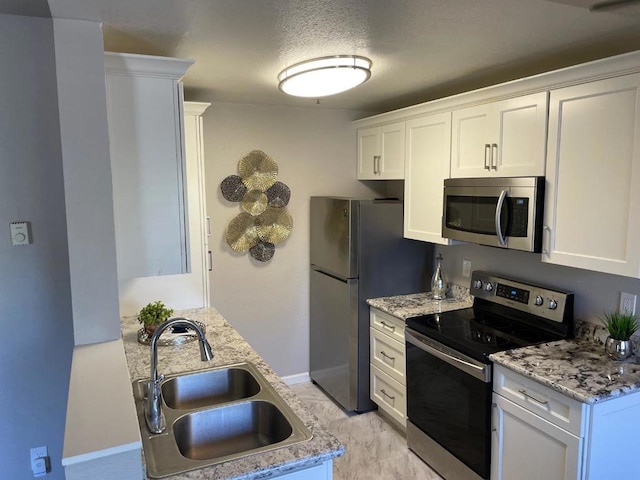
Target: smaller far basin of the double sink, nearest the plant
pixel 210 387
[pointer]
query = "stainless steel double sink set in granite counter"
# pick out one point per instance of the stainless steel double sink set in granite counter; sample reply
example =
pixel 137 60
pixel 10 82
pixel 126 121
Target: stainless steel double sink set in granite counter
pixel 214 416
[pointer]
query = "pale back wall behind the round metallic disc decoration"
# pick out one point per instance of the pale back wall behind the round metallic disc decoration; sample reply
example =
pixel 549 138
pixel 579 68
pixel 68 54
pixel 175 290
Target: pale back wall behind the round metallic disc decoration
pixel 268 303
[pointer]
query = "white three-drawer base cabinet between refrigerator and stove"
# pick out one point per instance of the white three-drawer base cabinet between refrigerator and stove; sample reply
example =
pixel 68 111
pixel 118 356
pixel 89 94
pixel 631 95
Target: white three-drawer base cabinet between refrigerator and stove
pixel 387 357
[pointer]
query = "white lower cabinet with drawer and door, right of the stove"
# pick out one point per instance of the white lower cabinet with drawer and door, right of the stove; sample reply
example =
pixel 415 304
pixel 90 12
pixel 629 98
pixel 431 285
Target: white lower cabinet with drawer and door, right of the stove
pixel 539 433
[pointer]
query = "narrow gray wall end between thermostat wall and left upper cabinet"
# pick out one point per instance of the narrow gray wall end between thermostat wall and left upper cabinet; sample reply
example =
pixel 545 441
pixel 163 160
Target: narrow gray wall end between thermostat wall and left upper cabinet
pixel 87 180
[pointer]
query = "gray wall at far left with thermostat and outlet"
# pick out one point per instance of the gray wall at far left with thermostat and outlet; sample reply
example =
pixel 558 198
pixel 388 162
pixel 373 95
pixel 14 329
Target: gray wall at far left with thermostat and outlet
pixel 35 298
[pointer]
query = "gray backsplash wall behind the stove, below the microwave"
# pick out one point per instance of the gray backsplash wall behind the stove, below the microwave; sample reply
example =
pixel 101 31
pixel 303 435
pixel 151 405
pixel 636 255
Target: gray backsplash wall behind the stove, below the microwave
pixel 594 292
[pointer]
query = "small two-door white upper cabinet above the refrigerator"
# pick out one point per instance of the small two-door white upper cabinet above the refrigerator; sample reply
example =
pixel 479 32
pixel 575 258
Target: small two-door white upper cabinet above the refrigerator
pixel 381 152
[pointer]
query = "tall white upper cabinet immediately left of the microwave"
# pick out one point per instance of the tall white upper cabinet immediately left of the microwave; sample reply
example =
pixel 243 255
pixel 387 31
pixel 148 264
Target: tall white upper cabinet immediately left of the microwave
pixel 427 165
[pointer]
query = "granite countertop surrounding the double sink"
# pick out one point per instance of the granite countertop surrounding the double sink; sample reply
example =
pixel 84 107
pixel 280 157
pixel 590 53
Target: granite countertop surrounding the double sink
pixel 229 347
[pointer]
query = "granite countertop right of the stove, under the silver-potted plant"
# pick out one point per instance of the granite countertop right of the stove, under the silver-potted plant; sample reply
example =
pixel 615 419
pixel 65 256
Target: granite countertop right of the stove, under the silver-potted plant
pixel 577 368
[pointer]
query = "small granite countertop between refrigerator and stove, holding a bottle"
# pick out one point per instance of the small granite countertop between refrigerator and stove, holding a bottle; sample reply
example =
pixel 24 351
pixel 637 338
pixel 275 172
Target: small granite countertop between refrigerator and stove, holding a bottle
pixel 416 304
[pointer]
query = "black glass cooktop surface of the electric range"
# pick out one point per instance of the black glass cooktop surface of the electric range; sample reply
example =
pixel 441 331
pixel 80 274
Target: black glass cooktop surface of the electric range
pixel 478 333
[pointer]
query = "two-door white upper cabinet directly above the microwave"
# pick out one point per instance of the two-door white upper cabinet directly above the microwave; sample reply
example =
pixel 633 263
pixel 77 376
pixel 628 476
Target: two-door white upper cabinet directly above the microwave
pixel 506 138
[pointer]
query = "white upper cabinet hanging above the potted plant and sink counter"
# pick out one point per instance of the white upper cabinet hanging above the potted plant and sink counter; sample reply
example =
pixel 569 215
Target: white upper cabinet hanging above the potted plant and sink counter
pixel 144 107
